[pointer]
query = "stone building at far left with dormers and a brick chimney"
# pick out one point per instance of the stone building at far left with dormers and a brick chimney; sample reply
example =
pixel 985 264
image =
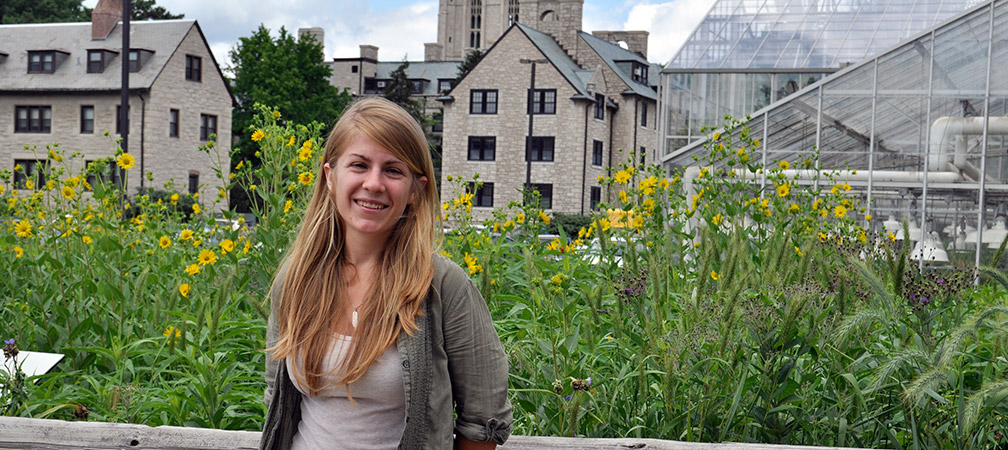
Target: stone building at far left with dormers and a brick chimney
pixel 61 83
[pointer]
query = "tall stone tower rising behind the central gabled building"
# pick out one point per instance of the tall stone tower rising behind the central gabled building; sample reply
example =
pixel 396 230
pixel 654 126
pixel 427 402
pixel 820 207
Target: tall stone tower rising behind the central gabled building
pixel 464 26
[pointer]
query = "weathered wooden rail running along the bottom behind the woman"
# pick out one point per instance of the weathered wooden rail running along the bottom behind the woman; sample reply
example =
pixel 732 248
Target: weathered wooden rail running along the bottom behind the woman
pixel 20 433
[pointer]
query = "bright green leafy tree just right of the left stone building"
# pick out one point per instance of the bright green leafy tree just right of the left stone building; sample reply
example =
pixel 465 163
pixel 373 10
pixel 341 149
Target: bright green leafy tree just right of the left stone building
pixel 285 74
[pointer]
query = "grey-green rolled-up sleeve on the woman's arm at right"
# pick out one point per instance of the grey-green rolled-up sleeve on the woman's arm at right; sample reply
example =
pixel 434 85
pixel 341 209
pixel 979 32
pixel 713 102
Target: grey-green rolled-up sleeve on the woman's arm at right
pixel 477 365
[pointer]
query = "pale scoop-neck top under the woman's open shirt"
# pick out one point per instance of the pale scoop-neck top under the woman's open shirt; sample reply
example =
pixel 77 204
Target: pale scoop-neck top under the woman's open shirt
pixel 330 421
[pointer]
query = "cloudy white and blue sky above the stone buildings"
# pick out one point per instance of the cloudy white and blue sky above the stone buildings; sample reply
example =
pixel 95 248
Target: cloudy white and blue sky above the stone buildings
pixel 400 28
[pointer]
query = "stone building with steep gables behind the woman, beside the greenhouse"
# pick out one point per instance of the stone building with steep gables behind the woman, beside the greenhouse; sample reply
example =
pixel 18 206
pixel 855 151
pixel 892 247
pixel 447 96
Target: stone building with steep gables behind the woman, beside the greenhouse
pixel 592 103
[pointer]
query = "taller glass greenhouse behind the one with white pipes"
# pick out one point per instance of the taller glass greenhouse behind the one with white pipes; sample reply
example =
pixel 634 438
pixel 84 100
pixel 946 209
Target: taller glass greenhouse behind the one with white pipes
pixel 746 55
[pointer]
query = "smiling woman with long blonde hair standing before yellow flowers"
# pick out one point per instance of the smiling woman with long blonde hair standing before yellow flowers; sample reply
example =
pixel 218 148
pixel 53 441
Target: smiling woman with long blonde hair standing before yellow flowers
pixel 375 342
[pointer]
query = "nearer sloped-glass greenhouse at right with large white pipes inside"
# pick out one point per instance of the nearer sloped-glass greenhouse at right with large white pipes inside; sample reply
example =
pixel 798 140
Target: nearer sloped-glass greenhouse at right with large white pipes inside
pixel 919 131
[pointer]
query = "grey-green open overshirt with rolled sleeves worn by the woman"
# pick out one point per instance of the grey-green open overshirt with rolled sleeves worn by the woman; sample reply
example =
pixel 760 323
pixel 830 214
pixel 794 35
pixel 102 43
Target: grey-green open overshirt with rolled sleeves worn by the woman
pixel 454 372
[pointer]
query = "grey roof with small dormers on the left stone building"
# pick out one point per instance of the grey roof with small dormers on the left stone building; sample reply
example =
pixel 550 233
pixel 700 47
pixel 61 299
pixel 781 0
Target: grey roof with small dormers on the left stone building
pixel 163 38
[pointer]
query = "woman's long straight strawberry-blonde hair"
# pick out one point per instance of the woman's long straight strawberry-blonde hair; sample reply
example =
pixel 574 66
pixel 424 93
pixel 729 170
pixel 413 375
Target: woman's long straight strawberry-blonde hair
pixel 313 286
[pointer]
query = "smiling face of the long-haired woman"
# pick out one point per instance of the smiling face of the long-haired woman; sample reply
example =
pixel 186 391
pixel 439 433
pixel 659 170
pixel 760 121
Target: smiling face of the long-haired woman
pixel 372 188
